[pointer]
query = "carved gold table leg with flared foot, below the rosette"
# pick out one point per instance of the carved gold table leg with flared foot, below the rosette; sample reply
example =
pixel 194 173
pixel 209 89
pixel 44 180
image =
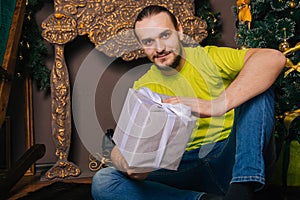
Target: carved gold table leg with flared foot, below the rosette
pixel 61 117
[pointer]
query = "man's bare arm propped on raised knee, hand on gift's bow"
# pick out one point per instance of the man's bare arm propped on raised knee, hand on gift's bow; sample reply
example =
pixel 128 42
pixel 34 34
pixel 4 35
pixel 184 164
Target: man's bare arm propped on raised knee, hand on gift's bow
pixel 260 70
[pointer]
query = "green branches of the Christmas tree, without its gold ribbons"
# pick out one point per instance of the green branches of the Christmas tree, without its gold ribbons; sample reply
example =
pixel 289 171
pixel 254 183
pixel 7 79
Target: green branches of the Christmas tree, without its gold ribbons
pixel 276 24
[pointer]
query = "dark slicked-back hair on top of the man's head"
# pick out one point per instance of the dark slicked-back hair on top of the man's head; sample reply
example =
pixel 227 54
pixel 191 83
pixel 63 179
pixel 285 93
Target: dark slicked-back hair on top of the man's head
pixel 153 10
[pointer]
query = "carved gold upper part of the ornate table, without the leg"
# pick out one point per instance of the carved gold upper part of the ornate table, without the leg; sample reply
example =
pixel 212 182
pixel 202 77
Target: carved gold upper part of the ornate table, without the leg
pixel 109 23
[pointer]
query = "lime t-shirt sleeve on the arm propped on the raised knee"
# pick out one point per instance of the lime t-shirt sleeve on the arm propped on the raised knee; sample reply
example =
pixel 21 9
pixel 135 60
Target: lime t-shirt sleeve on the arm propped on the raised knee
pixel 230 60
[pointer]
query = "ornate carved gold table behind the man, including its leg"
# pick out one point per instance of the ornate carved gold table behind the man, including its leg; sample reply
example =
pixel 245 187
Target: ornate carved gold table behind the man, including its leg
pixel 109 25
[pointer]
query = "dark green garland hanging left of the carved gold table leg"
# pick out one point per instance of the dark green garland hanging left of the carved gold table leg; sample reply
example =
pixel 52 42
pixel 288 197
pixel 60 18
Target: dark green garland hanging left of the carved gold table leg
pixel 32 49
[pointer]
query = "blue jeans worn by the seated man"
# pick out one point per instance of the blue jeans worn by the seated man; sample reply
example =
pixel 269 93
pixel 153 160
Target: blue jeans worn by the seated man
pixel 244 156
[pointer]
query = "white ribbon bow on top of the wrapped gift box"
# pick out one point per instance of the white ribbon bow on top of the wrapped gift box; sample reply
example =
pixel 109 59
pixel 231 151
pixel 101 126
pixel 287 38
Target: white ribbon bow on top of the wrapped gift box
pixel 181 110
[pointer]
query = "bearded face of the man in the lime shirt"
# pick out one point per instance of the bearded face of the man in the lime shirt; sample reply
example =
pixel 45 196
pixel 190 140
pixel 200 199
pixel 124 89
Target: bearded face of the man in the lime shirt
pixel 160 41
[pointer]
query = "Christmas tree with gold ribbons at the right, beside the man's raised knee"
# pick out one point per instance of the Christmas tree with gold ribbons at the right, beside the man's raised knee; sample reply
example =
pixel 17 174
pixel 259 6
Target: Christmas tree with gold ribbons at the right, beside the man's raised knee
pixel 276 24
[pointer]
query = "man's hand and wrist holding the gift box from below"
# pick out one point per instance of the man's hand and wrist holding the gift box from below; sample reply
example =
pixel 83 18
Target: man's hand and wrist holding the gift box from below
pixel 121 164
